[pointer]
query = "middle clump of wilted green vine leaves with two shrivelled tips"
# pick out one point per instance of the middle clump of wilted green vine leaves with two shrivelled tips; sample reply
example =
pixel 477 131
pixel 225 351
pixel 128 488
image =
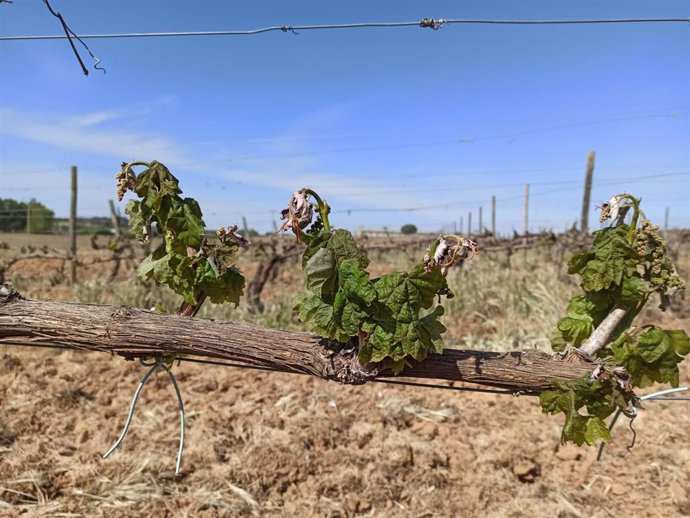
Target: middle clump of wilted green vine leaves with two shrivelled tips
pixel 393 317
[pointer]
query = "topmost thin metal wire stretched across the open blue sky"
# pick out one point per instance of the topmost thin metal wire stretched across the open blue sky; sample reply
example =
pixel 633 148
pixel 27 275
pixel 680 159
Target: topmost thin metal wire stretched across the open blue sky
pixel 426 23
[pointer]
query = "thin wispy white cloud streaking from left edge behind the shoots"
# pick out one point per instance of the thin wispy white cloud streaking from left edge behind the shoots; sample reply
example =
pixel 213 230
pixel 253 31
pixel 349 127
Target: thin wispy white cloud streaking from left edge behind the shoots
pixel 85 133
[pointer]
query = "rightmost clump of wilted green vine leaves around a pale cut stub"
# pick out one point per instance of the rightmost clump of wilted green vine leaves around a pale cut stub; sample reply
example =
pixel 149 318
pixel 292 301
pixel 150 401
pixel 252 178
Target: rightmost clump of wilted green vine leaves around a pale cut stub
pixel 625 266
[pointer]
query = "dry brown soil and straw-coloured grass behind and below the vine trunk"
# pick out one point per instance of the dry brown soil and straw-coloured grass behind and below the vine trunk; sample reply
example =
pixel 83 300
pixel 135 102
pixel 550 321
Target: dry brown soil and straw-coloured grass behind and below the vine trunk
pixel 265 444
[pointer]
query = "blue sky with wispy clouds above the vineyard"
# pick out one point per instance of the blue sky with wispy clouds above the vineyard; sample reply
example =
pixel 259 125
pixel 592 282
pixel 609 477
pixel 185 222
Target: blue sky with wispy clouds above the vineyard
pixel 379 121
